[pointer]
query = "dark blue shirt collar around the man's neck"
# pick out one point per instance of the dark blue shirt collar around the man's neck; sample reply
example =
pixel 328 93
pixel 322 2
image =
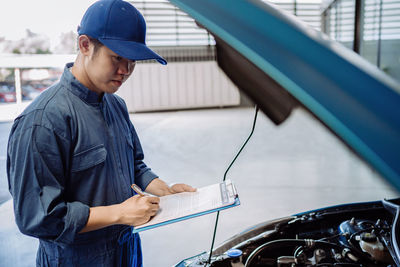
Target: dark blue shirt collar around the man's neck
pixel 78 88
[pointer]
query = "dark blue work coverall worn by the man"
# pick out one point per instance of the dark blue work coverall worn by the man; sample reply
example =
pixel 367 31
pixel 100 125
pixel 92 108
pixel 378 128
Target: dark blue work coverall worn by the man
pixel 68 151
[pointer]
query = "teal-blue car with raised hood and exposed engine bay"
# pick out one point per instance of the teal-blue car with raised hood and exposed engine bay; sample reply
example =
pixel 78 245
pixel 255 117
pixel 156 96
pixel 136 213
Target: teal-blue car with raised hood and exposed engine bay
pixel 282 64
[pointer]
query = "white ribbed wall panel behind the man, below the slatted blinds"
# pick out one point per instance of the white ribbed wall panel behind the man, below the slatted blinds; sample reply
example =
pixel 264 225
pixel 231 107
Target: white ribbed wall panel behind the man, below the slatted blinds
pixel 178 85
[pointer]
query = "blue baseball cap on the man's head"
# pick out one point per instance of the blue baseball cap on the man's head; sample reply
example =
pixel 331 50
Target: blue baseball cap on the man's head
pixel 119 26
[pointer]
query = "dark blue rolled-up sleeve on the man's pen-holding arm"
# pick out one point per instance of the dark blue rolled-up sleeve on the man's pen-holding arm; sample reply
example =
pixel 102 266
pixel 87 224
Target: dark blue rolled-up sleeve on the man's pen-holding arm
pixel 37 158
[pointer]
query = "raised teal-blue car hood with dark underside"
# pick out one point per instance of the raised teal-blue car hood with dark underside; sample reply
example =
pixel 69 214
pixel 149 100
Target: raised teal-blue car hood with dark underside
pixel 280 63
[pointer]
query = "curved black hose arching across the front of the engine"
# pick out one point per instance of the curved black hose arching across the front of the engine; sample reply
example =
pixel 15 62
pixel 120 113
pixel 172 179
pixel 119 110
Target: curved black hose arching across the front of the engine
pixel 297 242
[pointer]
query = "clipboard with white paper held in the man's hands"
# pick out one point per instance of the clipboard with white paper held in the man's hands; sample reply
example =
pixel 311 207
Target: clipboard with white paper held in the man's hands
pixel 183 206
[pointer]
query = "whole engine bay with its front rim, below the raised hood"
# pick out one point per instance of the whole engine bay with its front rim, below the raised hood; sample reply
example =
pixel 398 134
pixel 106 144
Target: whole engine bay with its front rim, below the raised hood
pixel 362 234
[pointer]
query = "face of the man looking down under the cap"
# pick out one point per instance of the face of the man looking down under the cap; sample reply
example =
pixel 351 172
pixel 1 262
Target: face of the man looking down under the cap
pixel 106 70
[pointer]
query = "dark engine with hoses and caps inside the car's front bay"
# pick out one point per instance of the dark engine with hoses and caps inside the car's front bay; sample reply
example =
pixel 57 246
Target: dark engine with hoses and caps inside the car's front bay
pixel 355 243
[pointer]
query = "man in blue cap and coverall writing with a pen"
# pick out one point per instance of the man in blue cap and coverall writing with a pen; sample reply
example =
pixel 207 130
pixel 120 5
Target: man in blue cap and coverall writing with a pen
pixel 73 153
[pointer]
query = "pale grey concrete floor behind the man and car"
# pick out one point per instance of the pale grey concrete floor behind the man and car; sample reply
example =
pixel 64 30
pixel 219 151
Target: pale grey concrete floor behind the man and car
pixel 284 170
